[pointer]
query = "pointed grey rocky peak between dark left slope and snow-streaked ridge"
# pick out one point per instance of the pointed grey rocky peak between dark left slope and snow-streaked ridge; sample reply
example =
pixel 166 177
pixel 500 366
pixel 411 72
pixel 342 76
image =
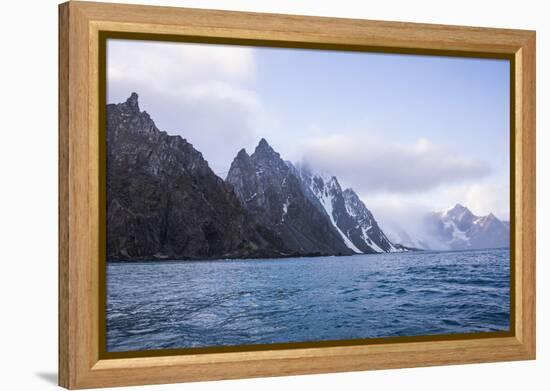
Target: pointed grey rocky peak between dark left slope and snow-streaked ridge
pixel 268 188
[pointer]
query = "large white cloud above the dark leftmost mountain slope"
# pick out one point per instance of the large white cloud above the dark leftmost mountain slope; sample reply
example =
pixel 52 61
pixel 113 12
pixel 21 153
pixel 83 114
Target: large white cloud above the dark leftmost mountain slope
pixel 205 93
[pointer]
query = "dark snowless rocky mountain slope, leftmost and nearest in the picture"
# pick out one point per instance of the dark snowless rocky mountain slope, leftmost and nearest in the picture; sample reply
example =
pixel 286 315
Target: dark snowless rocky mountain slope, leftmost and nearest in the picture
pixel 163 200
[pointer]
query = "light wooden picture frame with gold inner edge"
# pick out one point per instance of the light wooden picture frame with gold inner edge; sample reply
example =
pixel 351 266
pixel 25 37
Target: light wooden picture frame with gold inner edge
pixel 81 245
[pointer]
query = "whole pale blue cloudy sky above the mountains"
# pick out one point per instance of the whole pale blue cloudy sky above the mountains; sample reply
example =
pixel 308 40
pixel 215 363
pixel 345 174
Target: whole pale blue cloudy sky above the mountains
pixel 408 133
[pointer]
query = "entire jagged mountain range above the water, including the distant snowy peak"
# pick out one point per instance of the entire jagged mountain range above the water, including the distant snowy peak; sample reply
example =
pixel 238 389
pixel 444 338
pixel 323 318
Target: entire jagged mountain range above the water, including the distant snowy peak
pixel 164 201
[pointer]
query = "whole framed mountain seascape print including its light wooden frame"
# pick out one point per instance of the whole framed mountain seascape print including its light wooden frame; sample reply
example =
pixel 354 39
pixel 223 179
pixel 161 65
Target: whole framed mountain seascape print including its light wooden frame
pixel 248 195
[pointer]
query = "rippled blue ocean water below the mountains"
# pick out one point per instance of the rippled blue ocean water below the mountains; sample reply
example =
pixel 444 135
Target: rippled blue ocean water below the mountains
pixel 182 304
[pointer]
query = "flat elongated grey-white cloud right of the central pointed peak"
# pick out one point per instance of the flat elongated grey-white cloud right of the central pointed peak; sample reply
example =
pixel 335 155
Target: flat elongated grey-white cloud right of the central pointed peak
pixel 372 165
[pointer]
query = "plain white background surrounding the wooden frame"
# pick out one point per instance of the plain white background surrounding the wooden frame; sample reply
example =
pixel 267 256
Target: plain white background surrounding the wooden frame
pixel 28 194
